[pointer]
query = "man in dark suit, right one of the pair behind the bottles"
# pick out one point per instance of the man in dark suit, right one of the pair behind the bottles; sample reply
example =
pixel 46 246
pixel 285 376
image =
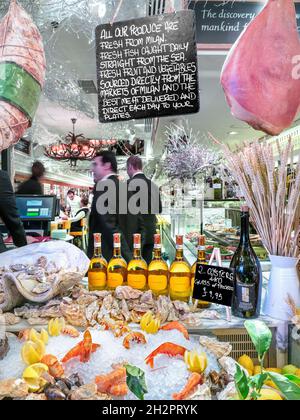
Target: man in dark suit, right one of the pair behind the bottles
pixel 152 195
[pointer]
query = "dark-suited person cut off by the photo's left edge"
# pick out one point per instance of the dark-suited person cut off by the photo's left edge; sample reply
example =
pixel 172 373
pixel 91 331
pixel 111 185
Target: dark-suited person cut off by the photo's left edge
pixel 9 213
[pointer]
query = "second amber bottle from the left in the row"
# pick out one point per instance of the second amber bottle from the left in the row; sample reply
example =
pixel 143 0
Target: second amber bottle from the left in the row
pixel 117 266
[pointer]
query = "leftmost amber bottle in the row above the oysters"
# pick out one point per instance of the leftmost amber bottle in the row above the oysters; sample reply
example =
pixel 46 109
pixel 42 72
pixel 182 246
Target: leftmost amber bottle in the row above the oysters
pixel 97 273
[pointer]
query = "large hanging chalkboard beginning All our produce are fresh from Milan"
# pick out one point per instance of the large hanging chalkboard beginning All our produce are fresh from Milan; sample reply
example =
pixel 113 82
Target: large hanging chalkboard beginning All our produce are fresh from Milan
pixel 147 67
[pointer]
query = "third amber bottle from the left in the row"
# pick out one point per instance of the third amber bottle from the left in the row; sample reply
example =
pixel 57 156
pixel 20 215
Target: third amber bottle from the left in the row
pixel 137 267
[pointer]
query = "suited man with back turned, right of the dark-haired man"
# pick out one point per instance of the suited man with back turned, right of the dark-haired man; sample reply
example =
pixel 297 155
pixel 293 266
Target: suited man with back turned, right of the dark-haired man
pixel 148 200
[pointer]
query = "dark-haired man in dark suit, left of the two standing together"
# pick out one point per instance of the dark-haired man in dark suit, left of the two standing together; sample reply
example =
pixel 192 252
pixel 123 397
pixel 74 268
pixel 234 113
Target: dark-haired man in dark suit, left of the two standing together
pixel 105 217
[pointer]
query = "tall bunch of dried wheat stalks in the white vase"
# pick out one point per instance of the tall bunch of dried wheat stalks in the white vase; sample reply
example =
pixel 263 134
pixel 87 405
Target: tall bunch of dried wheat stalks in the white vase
pixel 263 186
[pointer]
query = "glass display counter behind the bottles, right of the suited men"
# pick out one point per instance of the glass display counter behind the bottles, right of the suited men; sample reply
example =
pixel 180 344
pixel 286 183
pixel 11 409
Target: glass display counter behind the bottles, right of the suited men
pixel 218 220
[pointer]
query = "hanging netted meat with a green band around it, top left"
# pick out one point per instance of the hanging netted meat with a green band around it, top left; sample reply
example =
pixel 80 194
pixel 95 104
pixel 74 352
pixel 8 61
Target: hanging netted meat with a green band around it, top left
pixel 22 74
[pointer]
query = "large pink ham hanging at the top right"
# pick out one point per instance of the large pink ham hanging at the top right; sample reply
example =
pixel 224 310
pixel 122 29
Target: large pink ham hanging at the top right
pixel 257 77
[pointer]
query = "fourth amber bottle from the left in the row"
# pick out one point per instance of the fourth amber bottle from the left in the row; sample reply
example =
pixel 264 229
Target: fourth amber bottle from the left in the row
pixel 158 271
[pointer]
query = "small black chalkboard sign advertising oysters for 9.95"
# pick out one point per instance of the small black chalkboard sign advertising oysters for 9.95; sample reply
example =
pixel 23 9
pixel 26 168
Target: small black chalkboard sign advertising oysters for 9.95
pixel 214 284
